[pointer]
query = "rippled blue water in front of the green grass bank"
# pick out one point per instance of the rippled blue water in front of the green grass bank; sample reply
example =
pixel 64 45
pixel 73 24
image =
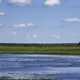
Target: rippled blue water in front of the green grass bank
pixel 40 66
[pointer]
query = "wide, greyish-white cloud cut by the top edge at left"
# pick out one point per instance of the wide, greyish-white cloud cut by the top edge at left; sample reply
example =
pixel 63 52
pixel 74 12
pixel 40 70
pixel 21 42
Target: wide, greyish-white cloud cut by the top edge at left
pixel 20 2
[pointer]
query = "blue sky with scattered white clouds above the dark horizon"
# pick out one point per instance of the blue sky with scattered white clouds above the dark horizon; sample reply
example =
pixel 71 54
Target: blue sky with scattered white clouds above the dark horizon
pixel 39 21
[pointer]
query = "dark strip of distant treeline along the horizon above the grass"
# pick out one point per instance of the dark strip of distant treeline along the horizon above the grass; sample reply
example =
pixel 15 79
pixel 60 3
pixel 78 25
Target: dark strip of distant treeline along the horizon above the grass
pixel 39 44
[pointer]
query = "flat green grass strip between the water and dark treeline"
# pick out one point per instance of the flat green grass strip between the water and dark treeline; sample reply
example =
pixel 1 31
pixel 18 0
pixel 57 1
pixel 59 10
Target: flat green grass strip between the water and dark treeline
pixel 42 49
